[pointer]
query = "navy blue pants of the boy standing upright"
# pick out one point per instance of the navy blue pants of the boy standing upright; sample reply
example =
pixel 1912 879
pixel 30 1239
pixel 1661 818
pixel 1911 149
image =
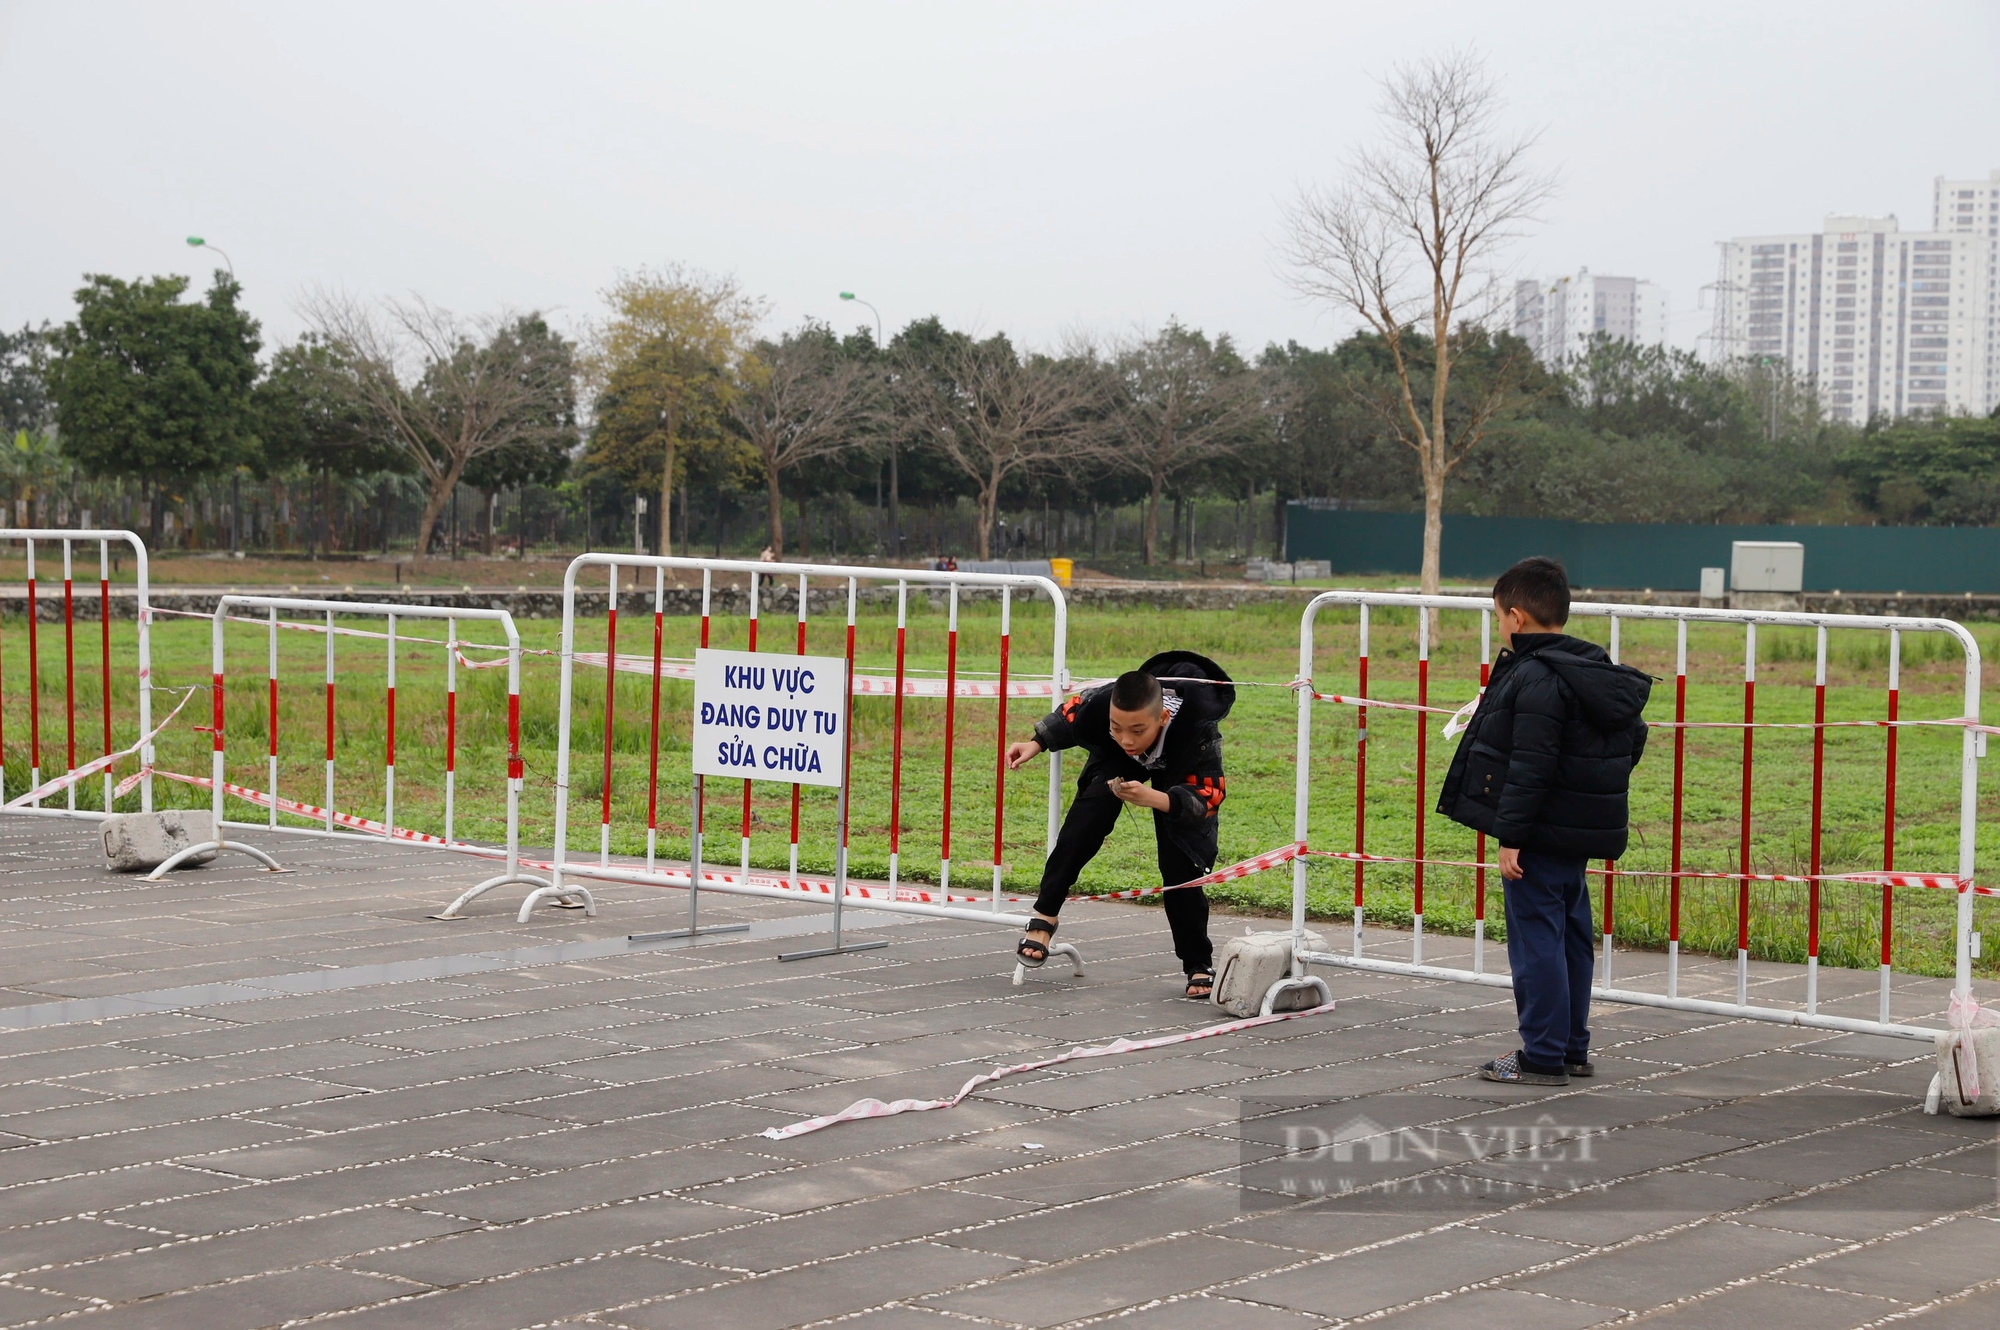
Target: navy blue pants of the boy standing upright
pixel 1551 945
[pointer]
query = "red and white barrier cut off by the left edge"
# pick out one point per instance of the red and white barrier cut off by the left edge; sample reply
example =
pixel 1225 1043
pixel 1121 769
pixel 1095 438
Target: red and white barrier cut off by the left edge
pixel 39 789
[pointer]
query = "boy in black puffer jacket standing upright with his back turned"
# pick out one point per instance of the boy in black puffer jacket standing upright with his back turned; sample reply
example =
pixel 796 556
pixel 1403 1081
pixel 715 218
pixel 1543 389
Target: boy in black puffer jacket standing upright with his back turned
pixel 1543 769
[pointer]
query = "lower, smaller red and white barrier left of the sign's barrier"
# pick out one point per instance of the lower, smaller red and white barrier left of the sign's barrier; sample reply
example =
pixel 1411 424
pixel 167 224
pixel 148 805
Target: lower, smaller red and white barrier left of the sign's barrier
pixel 333 823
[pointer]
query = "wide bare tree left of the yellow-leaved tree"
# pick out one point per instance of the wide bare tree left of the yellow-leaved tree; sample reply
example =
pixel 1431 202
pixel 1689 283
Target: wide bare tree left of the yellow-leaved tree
pixel 449 391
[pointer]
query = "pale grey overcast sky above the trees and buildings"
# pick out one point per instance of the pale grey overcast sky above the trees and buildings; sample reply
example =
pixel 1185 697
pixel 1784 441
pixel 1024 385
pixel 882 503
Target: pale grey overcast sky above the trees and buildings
pixel 1033 169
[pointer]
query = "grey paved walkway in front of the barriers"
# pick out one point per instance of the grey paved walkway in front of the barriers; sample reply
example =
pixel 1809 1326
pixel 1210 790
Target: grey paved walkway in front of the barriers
pixel 243 1099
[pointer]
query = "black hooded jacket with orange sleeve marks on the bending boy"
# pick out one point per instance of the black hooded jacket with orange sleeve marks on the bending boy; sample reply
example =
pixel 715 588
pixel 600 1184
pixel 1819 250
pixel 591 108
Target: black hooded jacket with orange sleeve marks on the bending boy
pixel 1191 759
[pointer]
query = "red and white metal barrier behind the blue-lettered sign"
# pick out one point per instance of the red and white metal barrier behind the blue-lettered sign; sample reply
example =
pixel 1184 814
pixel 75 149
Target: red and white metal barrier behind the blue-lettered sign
pixel 895 681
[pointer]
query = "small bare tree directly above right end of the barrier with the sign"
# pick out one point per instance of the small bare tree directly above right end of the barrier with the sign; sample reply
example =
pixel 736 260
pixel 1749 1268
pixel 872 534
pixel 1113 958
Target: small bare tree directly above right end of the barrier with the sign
pixel 995 417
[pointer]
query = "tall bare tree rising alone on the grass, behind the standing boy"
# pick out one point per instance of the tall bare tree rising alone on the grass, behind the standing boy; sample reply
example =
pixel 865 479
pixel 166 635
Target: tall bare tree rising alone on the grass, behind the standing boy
pixel 1405 245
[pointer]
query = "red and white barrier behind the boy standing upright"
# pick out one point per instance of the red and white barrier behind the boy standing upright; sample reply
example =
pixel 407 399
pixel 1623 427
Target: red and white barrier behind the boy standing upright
pixel 1891 877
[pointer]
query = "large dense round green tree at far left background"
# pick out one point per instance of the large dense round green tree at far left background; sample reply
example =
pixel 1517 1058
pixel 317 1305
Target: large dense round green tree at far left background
pixel 151 387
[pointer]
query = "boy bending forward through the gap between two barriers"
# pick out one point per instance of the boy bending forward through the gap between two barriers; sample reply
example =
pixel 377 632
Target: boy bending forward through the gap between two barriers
pixel 1151 745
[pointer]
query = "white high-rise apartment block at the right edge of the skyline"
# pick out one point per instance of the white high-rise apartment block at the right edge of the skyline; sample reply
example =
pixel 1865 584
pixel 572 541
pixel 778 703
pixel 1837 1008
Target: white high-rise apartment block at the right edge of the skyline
pixel 1879 321
